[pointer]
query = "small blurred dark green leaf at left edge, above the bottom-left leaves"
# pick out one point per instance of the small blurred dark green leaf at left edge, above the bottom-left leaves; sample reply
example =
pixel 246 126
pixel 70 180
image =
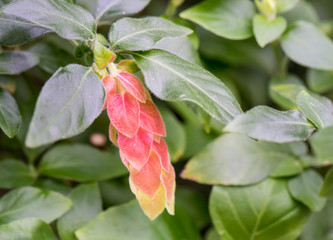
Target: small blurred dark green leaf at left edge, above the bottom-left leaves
pixel 14 173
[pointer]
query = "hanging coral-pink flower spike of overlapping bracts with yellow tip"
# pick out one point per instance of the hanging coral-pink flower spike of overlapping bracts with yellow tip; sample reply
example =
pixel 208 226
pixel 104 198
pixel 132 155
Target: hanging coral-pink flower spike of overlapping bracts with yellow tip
pixel 137 128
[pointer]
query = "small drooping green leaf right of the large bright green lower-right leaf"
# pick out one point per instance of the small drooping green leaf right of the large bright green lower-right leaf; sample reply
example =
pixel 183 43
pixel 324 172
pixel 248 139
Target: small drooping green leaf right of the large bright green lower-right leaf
pixel 306 187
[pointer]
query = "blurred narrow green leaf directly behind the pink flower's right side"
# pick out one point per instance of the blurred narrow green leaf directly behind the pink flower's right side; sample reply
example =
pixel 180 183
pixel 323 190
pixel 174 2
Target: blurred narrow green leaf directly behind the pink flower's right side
pixel 176 135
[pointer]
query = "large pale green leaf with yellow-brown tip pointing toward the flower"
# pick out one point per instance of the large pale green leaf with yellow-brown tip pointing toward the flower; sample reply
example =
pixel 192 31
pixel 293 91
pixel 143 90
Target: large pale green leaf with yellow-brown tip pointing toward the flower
pixel 223 161
